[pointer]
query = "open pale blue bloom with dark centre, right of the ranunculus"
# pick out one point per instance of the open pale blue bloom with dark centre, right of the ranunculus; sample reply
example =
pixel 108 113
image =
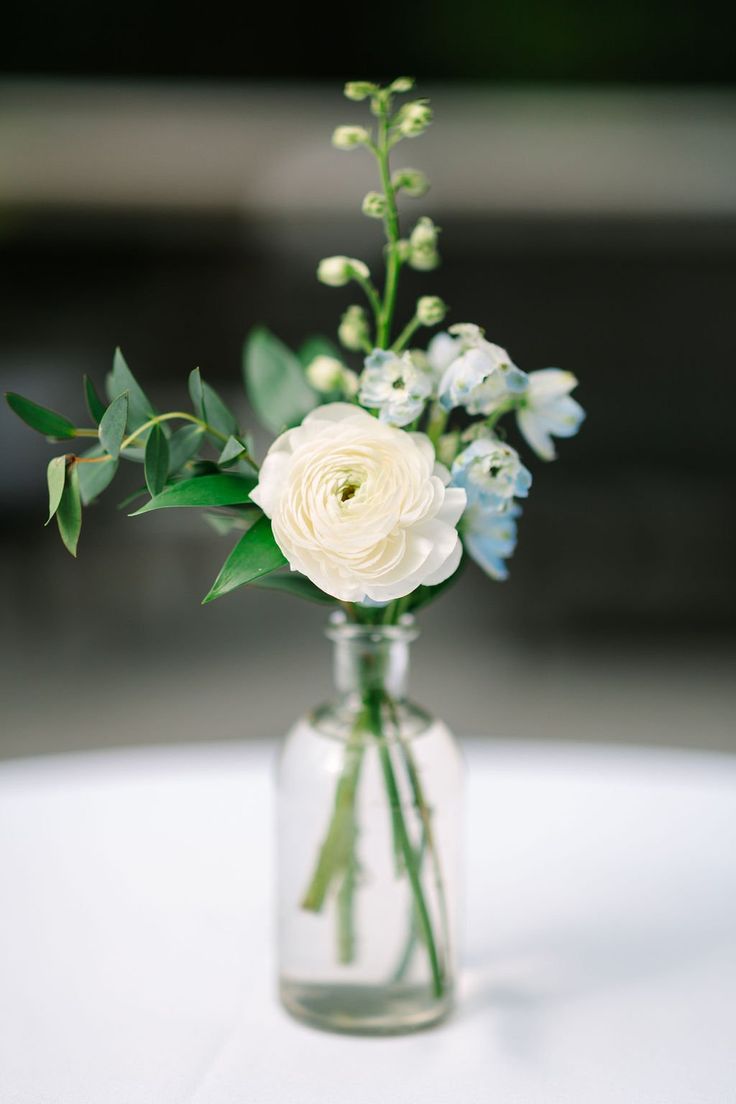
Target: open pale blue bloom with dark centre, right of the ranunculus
pixel 492 474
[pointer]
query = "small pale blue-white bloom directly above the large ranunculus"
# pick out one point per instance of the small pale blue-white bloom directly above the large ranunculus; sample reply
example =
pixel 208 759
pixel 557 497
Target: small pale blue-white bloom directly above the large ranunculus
pixel 396 386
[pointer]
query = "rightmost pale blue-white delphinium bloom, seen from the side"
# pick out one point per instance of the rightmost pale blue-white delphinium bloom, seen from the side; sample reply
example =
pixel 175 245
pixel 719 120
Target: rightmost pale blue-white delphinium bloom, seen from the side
pixel 549 410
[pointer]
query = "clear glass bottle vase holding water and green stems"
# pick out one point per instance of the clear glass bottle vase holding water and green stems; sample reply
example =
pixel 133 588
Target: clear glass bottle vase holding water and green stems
pixel 369 842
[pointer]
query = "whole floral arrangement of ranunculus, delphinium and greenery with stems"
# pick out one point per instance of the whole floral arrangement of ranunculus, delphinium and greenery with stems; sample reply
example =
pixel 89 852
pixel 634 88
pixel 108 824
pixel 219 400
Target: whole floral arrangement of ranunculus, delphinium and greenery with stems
pixel 383 477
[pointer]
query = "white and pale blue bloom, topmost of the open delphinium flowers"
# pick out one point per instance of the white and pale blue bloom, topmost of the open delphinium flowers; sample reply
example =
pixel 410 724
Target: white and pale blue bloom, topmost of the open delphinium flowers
pixel 482 377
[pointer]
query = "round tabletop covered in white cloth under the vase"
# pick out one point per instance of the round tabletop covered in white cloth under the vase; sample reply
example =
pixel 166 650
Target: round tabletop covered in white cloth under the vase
pixel 136 962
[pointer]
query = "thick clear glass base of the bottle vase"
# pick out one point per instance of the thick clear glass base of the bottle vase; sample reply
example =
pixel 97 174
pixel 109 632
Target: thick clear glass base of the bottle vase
pixel 365 1010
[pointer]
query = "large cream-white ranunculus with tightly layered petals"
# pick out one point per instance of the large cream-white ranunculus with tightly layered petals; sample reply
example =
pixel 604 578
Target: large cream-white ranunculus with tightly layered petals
pixel 360 507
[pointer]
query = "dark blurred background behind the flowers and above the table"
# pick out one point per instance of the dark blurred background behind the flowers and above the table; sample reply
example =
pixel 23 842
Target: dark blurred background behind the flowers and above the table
pixel 167 183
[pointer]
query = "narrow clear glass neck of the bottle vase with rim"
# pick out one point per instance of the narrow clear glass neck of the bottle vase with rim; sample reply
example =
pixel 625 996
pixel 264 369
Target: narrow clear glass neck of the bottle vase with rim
pixel 371 657
